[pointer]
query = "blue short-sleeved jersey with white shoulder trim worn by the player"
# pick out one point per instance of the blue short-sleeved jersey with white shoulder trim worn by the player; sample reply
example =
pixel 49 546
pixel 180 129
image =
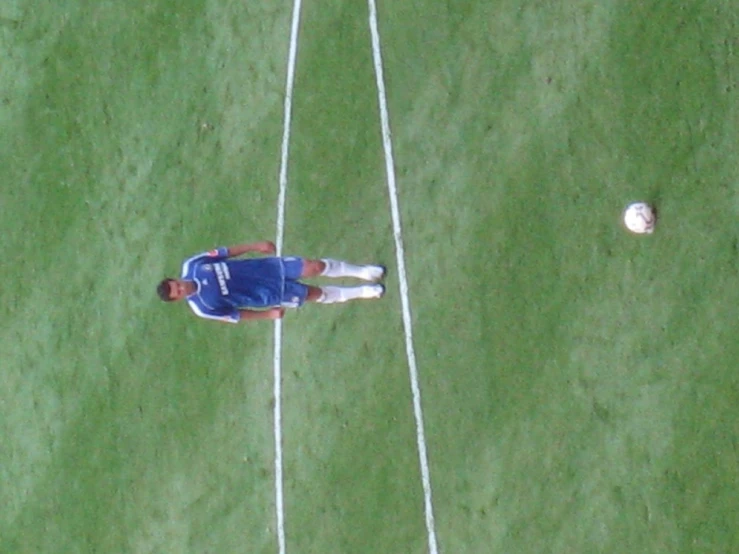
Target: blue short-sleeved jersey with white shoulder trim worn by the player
pixel 224 286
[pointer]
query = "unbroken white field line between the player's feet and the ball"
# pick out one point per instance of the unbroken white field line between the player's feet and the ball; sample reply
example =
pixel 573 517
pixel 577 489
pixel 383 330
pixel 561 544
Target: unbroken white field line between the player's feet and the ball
pixel 400 255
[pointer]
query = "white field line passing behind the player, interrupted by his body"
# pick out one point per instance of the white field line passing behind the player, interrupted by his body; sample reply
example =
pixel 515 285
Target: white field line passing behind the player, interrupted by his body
pixel 277 365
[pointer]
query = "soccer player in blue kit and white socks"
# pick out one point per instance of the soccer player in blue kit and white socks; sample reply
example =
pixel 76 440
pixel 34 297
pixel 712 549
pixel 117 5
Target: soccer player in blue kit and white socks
pixel 217 286
